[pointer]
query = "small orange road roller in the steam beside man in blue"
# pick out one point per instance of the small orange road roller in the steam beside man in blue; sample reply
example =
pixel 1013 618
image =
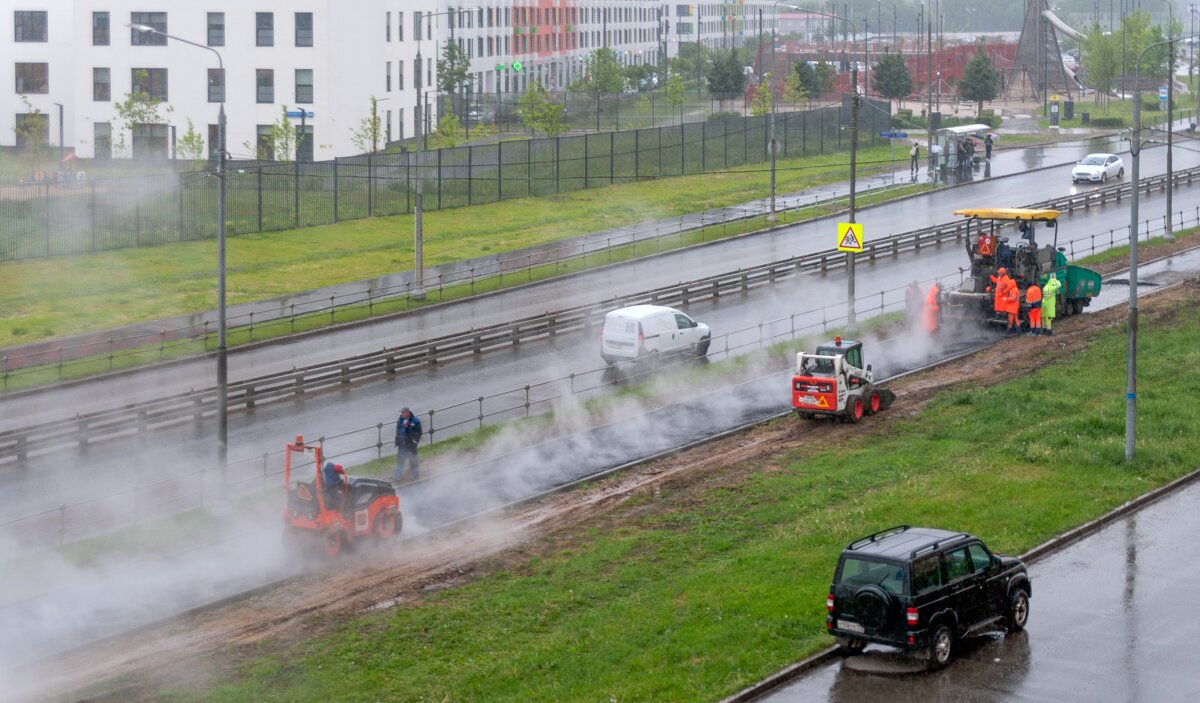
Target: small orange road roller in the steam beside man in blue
pixel 333 507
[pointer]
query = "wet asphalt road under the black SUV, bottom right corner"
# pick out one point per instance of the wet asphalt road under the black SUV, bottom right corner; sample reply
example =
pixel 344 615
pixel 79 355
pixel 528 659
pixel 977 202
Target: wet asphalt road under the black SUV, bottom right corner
pixel 1113 620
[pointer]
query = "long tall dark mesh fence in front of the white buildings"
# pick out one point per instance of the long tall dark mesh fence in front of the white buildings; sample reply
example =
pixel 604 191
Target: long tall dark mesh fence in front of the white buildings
pixel 49 220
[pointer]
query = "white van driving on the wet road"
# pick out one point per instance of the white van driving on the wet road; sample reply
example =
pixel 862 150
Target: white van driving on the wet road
pixel 650 333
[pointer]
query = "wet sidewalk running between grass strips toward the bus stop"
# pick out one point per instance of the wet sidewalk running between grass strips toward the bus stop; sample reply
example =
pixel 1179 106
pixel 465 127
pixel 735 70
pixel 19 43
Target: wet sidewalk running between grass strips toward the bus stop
pixel 1005 163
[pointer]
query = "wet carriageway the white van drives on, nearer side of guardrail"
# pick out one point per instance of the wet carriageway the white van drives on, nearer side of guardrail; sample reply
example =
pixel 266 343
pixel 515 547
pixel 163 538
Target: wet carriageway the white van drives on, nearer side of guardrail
pixel 349 418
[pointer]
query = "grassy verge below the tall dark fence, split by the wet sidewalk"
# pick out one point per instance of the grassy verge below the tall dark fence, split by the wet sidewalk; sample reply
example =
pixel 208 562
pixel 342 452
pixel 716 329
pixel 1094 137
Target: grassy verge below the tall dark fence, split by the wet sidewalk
pixel 133 286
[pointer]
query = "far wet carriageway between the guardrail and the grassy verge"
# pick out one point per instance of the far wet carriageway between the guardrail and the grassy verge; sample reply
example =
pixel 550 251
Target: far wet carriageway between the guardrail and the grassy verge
pixel 593 286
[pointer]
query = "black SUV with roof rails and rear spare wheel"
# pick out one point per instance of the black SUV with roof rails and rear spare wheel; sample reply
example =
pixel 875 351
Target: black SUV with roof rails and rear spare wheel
pixel 922 590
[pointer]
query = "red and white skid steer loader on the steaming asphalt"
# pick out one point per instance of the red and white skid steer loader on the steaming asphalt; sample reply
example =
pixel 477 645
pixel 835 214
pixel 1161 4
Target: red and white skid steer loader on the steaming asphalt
pixel 835 383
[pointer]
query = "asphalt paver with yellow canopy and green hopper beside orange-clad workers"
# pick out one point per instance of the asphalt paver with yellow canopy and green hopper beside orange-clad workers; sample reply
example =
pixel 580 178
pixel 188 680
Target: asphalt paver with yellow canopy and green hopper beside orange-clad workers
pixel 989 250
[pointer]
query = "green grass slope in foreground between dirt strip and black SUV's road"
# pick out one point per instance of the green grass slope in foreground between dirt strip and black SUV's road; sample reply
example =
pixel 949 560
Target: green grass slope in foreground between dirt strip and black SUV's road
pixel 694 596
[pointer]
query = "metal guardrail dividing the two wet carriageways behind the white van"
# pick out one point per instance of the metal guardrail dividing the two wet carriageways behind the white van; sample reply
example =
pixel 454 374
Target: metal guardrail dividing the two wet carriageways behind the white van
pixel 16 444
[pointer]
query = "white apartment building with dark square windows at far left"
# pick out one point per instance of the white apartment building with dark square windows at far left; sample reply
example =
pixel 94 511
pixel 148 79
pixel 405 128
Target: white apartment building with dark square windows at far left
pixel 321 57
